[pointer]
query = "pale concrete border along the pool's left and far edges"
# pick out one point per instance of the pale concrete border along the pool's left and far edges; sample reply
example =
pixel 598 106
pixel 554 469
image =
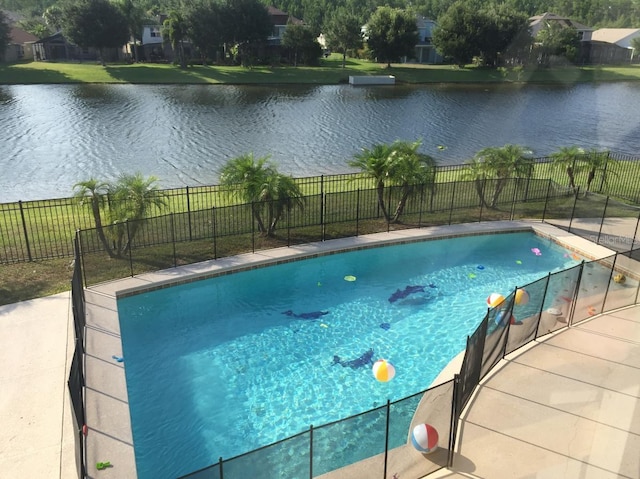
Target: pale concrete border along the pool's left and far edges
pixel 107 410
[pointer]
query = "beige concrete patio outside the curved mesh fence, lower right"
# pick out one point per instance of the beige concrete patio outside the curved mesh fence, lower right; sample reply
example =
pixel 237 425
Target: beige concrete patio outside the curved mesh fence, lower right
pixel 567 407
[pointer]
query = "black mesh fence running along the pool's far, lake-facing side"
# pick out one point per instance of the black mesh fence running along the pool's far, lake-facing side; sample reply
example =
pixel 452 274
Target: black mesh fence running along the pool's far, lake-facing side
pixel 177 239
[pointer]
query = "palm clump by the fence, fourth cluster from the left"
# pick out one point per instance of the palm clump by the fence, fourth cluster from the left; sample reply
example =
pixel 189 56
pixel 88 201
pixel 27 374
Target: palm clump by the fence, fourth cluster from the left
pixel 498 164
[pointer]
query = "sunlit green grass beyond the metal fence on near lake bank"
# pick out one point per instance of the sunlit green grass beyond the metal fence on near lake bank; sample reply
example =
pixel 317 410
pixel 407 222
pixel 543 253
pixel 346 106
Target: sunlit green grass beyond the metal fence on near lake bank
pixel 37 230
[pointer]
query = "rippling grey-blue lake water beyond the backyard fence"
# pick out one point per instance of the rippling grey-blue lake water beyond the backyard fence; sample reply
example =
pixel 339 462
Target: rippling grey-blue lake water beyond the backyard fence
pixel 56 135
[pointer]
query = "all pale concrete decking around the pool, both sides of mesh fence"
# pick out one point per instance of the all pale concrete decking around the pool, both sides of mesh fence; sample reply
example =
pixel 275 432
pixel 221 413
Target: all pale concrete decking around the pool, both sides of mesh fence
pixel 568 405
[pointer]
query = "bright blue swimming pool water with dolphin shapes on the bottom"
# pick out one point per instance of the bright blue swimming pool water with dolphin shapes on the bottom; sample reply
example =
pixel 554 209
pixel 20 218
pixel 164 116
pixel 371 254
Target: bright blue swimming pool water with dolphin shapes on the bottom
pixel 215 368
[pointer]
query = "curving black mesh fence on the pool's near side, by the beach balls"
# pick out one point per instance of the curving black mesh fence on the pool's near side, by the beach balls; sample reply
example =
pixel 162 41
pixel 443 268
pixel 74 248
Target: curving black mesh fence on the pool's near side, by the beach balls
pixel 531 311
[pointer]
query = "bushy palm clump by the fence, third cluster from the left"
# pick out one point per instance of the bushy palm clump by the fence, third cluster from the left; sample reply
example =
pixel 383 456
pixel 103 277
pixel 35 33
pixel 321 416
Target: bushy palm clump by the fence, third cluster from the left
pixel 399 164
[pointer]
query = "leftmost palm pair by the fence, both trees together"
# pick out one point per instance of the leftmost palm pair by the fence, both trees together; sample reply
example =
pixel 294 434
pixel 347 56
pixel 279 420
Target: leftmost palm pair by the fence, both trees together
pixel 130 200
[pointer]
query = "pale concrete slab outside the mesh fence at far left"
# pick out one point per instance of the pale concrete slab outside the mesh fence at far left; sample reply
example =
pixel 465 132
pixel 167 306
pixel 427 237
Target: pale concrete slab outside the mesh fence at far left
pixel 36 432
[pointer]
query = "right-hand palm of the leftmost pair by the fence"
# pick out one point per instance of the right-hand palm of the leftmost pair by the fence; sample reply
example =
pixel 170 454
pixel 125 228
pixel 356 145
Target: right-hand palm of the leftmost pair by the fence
pixel 132 199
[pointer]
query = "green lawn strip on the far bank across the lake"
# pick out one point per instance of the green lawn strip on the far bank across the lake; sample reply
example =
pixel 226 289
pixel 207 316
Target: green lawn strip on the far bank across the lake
pixel 330 71
